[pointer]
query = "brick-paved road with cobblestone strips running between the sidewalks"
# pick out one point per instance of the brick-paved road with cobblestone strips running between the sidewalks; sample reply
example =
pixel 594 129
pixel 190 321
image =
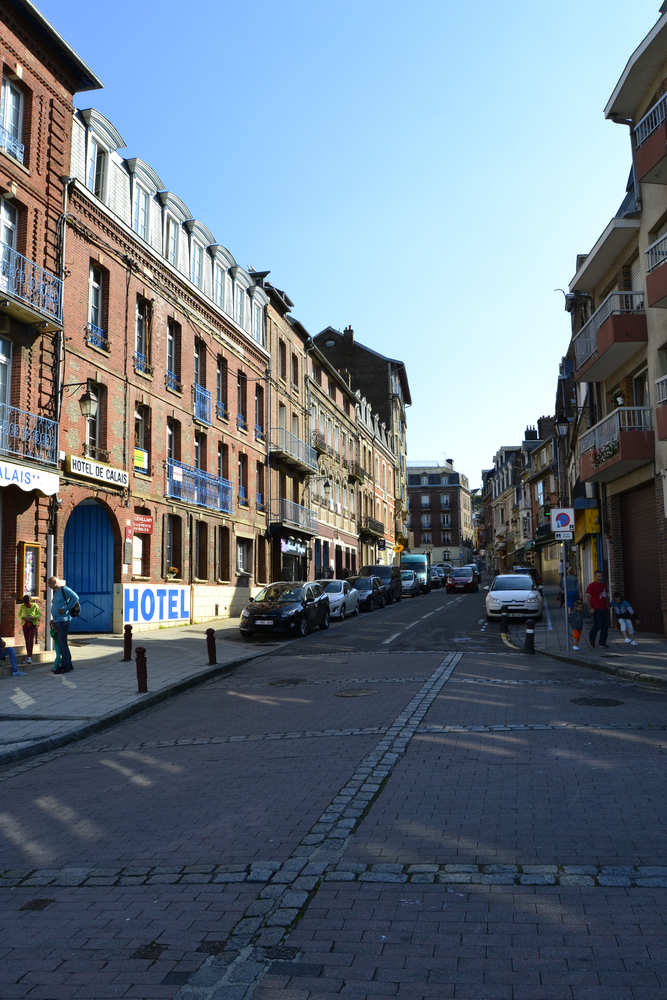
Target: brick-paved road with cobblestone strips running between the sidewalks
pixel 397 807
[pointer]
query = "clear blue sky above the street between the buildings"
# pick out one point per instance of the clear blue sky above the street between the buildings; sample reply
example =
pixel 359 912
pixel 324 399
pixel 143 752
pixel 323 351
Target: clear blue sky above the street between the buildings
pixel 425 172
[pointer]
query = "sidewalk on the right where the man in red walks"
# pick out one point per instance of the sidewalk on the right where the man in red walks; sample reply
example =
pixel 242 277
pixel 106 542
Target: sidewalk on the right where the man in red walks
pixel 647 661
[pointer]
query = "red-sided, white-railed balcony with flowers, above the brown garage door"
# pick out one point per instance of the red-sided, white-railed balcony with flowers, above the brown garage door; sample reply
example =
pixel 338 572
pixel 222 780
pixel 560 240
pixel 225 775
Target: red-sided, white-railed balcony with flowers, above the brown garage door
pixel 622 441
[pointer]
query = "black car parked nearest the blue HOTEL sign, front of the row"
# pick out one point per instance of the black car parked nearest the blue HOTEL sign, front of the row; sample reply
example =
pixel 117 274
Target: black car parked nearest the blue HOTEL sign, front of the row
pixel 286 607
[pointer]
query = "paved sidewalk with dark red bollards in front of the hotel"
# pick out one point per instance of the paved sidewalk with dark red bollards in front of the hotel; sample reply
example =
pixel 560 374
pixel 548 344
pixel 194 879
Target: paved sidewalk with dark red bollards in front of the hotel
pixel 41 710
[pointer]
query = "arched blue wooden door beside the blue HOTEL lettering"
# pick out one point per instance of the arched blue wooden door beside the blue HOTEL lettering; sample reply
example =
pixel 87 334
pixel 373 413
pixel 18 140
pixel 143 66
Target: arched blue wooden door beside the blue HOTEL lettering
pixel 88 566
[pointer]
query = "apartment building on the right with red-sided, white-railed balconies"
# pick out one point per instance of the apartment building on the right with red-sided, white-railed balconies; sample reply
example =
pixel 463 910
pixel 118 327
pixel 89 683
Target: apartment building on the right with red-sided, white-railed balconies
pixel 618 305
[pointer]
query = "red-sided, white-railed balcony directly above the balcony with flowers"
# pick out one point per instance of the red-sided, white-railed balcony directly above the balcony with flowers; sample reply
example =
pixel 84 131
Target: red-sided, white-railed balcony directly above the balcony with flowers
pixel 611 336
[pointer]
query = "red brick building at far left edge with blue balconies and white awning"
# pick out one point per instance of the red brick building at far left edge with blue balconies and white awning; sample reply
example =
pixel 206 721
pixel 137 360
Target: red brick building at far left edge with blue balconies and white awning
pixel 40 75
